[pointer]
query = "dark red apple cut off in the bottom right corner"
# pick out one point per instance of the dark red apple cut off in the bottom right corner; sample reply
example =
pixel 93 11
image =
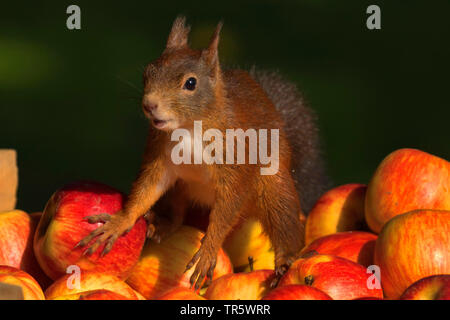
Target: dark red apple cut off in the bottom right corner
pixel 435 287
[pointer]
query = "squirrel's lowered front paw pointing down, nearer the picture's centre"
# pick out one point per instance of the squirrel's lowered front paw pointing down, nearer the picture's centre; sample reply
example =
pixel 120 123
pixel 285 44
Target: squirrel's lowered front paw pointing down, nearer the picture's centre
pixel 204 268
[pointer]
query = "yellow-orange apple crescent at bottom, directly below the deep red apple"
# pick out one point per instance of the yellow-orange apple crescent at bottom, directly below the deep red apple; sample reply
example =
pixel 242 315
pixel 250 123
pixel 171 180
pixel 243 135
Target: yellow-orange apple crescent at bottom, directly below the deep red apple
pixel 89 281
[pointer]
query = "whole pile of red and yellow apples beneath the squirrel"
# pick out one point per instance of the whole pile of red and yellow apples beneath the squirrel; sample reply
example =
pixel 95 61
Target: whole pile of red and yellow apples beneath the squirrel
pixel 389 239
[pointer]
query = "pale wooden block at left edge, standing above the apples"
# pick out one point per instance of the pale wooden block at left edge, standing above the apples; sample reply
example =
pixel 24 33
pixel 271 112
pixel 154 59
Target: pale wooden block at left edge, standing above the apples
pixel 9 179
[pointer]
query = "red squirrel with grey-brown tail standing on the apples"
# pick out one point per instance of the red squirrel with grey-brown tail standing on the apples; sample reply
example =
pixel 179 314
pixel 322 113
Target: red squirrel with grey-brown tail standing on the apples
pixel 185 85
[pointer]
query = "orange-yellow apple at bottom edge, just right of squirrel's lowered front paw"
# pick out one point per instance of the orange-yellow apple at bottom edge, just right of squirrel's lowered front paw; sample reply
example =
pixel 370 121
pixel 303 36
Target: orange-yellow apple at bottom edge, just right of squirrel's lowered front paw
pixel 241 286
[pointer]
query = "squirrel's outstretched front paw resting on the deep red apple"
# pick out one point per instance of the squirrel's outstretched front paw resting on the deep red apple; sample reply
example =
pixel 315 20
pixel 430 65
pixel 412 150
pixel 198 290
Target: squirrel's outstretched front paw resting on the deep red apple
pixel 114 226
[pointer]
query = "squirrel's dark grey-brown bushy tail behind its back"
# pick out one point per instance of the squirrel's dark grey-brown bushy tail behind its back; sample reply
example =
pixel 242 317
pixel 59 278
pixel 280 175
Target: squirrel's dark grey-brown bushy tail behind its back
pixel 308 170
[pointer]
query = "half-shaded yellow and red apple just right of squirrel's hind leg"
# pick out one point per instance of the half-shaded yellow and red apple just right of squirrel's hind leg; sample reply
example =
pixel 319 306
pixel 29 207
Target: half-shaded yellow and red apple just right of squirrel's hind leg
pixel 339 209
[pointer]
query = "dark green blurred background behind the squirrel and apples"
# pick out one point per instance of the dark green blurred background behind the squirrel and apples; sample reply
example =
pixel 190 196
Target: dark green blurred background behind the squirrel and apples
pixel 70 100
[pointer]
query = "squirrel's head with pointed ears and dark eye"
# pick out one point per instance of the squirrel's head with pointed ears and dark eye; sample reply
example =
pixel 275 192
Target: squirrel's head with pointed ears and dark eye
pixel 182 85
